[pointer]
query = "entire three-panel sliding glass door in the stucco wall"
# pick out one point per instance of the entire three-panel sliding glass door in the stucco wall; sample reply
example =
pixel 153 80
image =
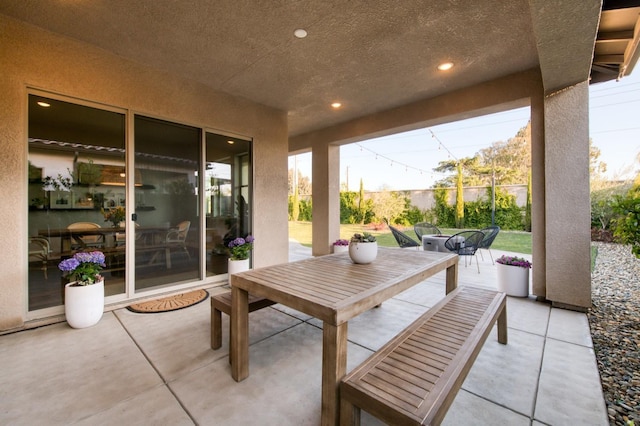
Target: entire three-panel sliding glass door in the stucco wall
pixel 162 207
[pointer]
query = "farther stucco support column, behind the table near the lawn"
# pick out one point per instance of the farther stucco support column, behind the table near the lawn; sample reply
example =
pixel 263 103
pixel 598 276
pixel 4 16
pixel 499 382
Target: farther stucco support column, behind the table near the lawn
pixel 325 187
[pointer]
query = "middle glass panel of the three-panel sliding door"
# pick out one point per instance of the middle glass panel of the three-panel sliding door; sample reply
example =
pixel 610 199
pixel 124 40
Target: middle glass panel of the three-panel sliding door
pixel 167 240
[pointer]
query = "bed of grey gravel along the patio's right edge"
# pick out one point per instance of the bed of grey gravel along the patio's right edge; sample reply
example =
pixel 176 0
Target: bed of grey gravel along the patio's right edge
pixel 615 329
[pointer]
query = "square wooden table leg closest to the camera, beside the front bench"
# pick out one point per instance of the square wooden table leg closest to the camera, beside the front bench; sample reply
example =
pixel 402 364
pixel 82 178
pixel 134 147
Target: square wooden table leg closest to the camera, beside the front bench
pixel 334 368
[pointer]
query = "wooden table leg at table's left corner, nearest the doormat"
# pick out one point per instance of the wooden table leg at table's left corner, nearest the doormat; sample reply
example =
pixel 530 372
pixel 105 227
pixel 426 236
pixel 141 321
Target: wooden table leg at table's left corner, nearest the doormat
pixel 239 351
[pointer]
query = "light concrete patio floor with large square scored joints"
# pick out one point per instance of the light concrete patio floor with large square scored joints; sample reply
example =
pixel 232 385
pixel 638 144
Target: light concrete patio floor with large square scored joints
pixel 158 369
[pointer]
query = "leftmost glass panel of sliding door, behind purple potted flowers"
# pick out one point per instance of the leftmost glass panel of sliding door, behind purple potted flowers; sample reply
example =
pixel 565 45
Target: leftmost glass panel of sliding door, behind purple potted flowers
pixel 76 184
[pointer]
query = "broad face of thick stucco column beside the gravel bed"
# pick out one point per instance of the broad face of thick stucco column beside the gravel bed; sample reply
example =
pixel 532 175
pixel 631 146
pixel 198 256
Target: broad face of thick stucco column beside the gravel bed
pixel 567 207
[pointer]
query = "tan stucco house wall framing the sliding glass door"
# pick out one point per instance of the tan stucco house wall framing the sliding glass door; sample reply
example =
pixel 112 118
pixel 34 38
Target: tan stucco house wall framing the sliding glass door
pixel 33 58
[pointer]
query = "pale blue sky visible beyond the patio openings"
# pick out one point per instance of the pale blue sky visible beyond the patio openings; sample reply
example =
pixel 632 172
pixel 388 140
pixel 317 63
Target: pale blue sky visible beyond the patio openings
pixel 406 161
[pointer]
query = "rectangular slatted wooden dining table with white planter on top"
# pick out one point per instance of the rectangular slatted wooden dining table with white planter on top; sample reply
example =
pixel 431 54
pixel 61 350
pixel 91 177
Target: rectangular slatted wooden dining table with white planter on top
pixel 333 289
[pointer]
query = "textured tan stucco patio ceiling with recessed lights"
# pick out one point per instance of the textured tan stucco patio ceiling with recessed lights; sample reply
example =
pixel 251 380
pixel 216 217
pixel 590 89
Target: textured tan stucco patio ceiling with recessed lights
pixel 371 56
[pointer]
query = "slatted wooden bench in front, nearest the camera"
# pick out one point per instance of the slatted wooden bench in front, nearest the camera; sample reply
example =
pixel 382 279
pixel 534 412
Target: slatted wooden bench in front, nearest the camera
pixel 414 378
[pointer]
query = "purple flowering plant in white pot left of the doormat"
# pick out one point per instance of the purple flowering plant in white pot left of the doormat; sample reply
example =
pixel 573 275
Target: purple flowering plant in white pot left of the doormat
pixel 84 294
